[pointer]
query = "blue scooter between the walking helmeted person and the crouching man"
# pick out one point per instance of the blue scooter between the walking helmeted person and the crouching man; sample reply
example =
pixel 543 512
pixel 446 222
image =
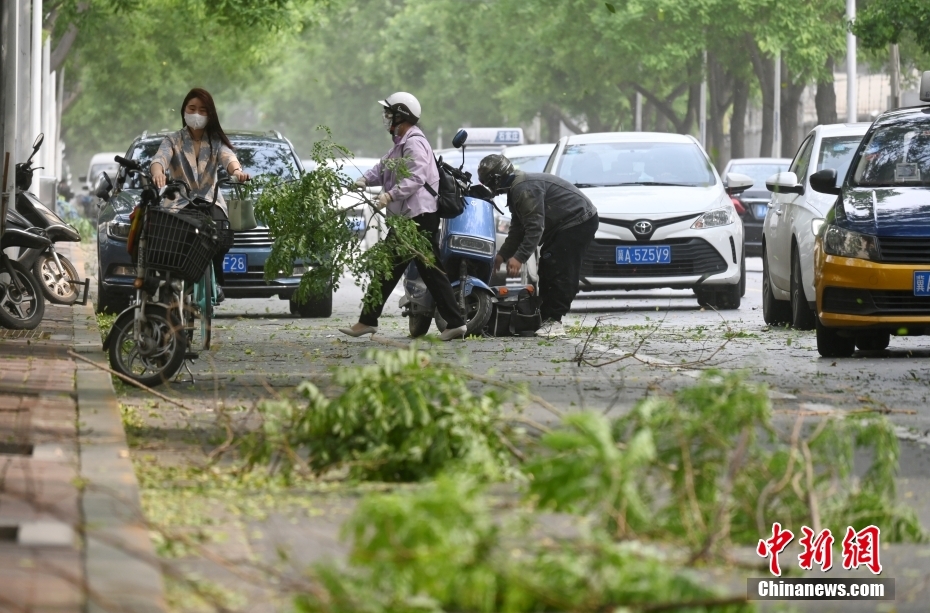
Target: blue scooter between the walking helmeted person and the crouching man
pixel 467 249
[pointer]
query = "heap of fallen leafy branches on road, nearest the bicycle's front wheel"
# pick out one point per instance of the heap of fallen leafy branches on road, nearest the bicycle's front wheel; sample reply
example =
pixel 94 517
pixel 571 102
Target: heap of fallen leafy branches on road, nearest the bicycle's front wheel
pixel 403 418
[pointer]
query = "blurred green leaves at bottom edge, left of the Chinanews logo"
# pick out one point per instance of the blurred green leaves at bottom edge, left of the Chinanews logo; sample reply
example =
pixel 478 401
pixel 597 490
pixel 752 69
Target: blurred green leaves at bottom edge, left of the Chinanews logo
pixel 439 549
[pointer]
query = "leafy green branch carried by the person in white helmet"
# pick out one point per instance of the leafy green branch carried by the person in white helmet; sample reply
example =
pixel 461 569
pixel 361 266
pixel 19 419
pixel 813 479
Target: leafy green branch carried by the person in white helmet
pixel 309 224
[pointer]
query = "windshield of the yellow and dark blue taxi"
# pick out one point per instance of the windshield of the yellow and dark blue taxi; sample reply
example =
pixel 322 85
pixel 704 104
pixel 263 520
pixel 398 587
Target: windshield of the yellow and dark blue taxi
pixel 896 155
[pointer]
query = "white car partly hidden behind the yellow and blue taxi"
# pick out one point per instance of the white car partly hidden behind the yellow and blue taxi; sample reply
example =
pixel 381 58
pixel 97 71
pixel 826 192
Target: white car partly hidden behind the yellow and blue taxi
pixel 792 220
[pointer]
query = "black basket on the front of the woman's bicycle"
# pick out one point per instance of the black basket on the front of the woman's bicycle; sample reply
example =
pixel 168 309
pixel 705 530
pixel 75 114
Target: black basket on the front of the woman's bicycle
pixel 181 243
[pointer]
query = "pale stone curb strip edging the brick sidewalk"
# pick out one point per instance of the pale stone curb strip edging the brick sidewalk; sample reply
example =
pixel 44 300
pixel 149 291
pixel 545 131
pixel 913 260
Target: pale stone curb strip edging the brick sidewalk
pixel 122 572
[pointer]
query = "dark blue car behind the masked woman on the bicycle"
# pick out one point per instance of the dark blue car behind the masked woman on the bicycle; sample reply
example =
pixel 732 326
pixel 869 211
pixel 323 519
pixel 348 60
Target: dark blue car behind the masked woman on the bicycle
pixel 244 265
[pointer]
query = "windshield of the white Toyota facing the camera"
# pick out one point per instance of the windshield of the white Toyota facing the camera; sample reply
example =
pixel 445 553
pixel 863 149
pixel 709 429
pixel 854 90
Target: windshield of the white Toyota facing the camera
pixel 610 164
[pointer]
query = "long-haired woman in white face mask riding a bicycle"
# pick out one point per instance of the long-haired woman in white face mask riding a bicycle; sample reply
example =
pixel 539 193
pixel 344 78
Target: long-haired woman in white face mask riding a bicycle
pixel 194 154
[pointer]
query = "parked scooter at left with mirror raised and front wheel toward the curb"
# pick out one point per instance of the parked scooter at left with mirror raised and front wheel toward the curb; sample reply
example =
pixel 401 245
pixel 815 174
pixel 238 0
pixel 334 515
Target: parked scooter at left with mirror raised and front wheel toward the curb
pixel 58 279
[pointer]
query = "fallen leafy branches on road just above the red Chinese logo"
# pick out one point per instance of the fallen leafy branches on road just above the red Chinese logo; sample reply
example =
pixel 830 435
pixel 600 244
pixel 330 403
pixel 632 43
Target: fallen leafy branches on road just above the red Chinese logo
pixel 707 466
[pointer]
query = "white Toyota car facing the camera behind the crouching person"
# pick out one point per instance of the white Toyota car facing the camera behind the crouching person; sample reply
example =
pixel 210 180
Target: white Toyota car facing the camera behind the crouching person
pixel 666 219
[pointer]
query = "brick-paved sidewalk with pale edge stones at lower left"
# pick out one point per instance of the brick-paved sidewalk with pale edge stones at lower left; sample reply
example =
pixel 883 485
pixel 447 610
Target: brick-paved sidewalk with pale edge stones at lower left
pixel 72 537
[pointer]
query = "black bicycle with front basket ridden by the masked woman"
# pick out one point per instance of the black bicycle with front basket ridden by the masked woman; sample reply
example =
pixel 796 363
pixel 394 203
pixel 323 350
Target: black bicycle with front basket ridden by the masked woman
pixel 175 283
